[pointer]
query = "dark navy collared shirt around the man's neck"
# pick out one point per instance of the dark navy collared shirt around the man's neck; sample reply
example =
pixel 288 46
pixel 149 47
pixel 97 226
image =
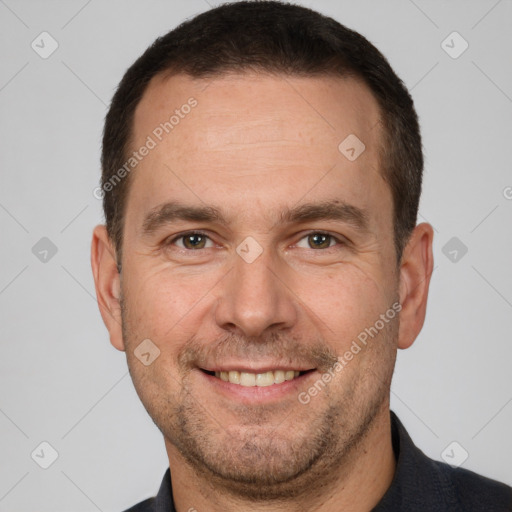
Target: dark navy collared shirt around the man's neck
pixel 420 484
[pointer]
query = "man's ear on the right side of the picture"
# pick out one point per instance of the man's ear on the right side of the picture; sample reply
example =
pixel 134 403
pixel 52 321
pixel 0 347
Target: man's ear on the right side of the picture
pixel 415 271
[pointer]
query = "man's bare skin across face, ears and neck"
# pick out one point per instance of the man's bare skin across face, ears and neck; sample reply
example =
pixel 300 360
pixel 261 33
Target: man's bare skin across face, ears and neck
pixel 254 145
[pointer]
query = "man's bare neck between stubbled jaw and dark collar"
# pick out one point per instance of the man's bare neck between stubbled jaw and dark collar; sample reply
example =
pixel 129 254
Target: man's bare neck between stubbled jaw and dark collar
pixel 357 484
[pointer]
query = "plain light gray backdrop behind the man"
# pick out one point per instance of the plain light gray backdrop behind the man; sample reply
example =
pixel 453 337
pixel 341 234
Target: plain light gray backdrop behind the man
pixel 60 379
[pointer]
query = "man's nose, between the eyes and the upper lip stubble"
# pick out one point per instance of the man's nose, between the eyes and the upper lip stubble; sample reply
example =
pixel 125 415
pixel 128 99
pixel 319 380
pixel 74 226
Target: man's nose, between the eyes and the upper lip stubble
pixel 255 297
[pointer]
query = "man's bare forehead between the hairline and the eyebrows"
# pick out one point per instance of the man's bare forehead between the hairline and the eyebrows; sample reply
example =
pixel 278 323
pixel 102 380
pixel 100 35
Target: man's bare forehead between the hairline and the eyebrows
pixel 265 137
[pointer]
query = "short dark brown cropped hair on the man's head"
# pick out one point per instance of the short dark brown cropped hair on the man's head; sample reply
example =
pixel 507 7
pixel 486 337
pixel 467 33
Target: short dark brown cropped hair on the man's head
pixel 279 38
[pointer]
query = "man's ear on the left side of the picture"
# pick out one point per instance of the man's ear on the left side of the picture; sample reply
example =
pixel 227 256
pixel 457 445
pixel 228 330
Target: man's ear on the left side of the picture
pixel 108 284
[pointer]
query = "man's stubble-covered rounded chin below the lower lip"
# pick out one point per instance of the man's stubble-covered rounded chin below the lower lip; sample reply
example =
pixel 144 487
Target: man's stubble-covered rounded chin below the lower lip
pixel 258 462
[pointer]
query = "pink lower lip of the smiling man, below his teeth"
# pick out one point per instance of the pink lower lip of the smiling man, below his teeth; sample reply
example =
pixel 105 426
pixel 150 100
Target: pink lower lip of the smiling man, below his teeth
pixel 255 394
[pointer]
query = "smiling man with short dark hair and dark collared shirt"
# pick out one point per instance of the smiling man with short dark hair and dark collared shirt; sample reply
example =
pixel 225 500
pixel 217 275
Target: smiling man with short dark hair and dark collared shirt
pixel 261 265
